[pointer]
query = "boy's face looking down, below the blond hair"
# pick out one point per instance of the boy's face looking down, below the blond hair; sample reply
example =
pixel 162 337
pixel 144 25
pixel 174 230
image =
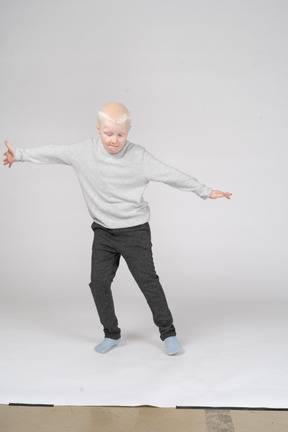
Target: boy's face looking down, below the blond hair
pixel 113 135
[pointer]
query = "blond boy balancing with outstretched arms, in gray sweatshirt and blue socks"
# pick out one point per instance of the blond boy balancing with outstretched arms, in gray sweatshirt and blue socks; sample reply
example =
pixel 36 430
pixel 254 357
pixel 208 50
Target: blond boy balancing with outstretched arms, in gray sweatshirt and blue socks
pixel 113 174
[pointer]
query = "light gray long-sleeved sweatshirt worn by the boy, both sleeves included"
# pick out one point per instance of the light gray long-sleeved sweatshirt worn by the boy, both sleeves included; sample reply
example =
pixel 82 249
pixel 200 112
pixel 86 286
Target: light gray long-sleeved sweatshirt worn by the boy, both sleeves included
pixel 113 184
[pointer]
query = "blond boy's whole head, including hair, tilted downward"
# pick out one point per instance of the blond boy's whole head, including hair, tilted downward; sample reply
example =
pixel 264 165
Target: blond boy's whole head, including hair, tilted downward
pixel 114 123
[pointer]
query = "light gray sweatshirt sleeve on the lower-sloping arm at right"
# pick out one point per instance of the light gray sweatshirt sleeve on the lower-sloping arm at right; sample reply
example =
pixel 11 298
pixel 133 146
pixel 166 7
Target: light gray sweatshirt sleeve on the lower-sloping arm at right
pixel 158 171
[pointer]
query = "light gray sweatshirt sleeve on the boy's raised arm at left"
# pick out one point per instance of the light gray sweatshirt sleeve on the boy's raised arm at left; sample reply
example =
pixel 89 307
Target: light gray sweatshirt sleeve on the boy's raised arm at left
pixel 48 154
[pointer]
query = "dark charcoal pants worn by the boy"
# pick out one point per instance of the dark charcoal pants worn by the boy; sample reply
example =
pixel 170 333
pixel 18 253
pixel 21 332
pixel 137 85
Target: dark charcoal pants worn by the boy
pixel 134 244
